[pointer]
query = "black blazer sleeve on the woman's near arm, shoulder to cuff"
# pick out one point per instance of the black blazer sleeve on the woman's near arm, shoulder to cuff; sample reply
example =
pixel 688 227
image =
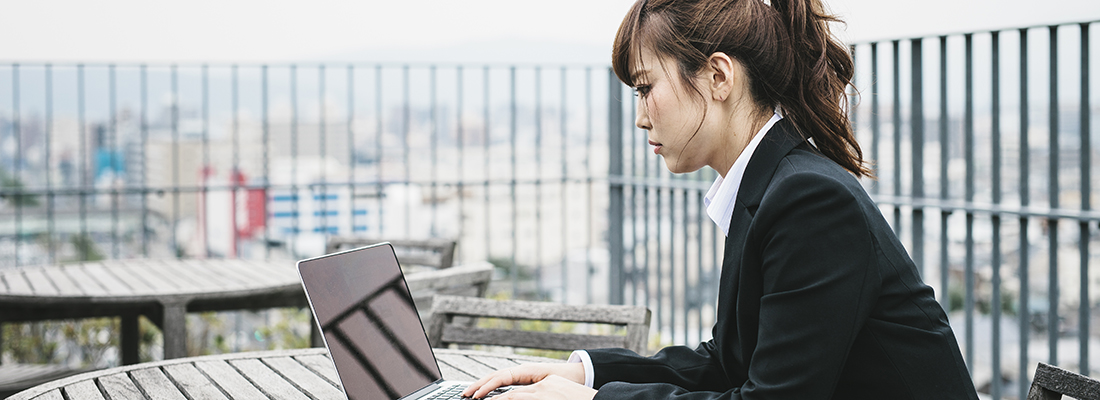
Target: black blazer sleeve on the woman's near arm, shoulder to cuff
pixel 816 253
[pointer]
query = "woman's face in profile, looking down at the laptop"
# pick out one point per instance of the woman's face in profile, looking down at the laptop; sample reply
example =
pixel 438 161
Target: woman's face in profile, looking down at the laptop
pixel 673 114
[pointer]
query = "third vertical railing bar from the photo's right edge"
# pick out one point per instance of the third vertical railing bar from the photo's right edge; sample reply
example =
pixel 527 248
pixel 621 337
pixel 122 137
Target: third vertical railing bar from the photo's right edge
pixel 1024 381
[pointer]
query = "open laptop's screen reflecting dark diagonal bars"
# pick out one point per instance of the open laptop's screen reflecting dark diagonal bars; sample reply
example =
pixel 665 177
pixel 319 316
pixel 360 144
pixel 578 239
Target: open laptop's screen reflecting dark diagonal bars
pixel 370 325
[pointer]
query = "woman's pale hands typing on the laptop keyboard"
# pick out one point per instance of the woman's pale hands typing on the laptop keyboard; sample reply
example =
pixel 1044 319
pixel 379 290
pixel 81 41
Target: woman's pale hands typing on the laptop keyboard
pixel 566 375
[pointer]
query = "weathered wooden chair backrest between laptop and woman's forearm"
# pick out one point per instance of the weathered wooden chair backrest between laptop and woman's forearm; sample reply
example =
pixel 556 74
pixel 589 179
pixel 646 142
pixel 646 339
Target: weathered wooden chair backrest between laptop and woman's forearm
pixel 444 330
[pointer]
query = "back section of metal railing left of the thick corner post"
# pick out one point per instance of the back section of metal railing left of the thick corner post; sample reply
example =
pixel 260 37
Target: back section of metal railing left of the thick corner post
pixel 265 161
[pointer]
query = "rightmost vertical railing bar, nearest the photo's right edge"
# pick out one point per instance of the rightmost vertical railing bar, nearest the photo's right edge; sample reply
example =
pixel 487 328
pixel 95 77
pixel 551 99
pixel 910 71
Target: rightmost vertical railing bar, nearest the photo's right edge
pixel 1084 310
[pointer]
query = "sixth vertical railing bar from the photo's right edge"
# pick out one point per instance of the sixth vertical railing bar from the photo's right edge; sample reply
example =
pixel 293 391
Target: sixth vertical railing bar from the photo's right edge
pixel 944 181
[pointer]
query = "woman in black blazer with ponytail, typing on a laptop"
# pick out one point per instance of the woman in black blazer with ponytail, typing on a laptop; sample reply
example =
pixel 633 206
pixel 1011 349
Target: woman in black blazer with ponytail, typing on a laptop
pixel 818 298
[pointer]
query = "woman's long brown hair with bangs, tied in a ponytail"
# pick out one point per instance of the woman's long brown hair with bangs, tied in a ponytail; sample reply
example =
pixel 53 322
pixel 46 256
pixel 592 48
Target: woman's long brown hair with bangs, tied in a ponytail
pixel 791 58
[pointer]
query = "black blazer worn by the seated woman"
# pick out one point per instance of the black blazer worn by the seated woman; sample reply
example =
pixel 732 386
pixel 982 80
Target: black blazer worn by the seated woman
pixel 818 301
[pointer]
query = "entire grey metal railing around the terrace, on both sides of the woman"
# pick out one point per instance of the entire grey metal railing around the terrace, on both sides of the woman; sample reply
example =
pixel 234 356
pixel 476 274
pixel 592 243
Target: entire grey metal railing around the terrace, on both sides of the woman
pixel 540 170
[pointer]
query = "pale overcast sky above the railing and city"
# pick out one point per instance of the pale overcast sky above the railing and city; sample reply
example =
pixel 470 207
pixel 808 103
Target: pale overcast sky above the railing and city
pixel 252 31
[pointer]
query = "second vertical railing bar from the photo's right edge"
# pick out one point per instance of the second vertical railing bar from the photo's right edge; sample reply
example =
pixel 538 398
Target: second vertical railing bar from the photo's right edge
pixel 1052 321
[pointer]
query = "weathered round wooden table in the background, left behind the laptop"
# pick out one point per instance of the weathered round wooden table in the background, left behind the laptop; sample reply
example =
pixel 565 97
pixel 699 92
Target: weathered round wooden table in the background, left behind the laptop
pixel 163 291
